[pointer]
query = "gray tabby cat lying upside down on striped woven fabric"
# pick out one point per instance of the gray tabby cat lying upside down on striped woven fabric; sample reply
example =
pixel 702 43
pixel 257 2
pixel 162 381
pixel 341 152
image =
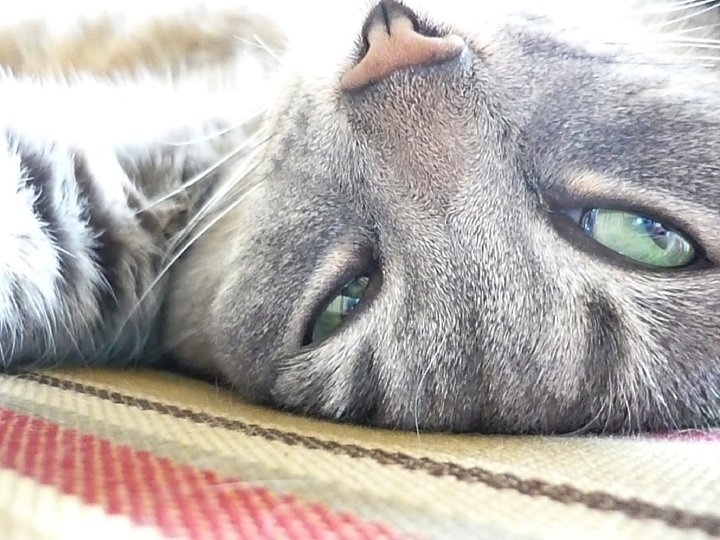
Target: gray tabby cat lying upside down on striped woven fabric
pixel 451 218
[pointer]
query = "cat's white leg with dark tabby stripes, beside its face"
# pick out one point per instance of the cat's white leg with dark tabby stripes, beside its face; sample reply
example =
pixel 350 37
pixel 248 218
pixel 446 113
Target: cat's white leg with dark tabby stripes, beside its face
pixel 76 256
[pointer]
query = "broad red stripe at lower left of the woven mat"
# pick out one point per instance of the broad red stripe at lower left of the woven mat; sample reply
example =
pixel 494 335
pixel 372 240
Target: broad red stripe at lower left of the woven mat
pixel 180 500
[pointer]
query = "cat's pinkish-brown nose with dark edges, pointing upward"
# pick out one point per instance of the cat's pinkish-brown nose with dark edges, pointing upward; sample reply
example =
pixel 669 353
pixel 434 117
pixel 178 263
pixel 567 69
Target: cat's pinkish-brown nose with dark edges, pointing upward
pixel 394 42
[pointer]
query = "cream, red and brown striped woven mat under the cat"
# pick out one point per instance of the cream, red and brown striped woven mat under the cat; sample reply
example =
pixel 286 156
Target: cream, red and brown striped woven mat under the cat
pixel 103 454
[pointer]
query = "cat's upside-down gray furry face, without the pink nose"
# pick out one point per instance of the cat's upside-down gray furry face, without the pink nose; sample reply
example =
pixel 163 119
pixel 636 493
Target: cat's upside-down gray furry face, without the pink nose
pixel 464 191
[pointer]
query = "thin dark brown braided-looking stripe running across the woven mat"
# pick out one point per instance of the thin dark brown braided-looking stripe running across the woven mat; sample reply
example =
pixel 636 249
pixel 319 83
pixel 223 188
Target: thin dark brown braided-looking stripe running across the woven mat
pixel 563 493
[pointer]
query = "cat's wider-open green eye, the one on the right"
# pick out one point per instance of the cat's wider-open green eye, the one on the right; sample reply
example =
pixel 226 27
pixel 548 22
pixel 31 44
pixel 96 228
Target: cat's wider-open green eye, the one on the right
pixel 639 238
